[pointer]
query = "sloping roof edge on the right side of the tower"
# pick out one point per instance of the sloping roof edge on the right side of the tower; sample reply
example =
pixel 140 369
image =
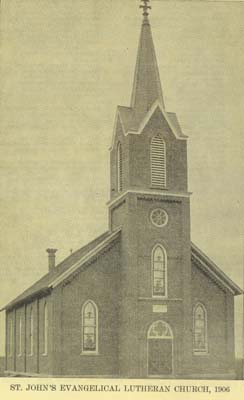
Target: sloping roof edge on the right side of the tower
pixel 203 262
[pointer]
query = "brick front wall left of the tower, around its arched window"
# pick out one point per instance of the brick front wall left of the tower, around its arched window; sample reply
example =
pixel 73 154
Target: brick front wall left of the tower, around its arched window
pixel 99 283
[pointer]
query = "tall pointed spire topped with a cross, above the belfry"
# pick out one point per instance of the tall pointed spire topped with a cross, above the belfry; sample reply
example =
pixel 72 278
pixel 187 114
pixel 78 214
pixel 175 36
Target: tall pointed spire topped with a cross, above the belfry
pixel 147 86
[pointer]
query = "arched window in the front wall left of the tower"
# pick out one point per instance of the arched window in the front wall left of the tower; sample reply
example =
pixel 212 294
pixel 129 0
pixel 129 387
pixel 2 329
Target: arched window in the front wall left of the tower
pixel 89 328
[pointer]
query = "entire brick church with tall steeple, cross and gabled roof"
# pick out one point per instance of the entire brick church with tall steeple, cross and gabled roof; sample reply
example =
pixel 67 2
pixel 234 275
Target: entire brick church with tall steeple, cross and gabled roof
pixel 141 300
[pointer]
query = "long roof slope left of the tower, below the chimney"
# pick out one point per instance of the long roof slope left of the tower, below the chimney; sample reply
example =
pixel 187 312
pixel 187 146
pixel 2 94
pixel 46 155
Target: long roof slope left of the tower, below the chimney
pixel 66 267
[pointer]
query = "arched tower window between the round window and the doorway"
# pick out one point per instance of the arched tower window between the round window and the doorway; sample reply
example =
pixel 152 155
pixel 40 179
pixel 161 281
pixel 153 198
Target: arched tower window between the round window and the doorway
pixel 159 271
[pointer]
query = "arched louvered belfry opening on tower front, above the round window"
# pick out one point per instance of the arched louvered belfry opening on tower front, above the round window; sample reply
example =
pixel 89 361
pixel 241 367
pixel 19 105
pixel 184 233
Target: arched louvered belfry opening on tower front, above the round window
pixel 158 162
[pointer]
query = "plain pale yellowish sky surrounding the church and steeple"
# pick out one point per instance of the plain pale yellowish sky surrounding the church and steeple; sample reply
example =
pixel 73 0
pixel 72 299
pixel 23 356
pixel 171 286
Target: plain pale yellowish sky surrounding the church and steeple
pixel 65 66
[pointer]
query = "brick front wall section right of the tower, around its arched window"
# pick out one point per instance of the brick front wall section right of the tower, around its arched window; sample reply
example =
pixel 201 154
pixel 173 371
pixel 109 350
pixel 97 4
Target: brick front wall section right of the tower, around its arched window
pixel 220 328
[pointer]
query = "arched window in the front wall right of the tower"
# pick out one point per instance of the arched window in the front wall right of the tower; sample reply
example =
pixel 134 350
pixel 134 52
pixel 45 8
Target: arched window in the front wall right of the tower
pixel 200 329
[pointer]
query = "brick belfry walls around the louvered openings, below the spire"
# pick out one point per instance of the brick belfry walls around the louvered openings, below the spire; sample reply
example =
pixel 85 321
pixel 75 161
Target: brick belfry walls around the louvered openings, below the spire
pixel 136 157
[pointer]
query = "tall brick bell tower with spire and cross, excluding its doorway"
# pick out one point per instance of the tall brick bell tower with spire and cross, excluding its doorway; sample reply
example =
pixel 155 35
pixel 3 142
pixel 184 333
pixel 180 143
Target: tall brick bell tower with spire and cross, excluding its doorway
pixel 149 200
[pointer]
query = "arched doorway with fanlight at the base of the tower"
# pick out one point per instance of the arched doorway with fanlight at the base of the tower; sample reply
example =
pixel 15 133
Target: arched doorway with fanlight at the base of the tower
pixel 160 349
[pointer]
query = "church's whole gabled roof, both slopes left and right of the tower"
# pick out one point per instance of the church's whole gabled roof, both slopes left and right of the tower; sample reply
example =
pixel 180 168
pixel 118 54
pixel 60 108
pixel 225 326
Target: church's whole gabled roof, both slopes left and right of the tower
pixel 72 263
